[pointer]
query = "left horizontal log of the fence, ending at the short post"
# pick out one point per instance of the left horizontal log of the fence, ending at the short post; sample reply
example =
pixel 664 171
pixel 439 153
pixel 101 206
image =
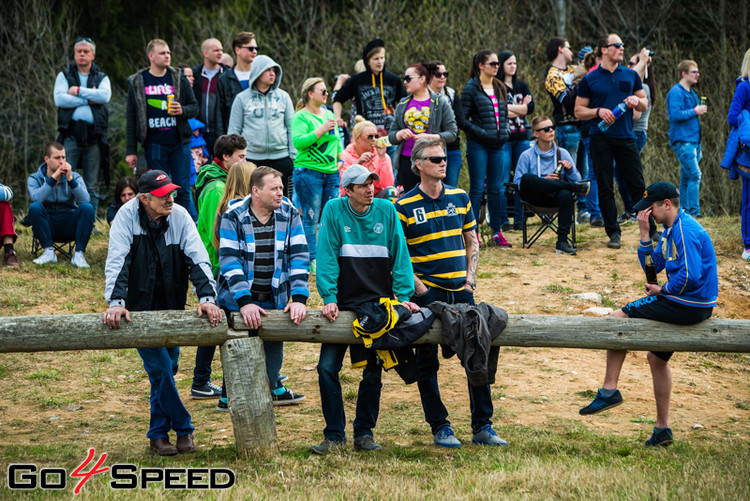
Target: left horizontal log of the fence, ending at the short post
pixel 147 329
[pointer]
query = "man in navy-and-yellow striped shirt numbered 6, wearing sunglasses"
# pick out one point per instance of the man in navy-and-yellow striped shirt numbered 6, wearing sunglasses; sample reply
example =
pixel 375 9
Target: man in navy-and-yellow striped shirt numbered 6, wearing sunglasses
pixel 440 231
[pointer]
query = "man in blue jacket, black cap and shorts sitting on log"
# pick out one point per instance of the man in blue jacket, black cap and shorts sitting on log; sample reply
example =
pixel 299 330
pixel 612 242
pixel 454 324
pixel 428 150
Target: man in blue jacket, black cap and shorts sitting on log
pixel 686 252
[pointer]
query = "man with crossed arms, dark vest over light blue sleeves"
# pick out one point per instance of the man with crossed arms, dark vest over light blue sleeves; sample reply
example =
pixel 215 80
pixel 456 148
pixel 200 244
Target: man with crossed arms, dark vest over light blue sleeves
pixel 81 93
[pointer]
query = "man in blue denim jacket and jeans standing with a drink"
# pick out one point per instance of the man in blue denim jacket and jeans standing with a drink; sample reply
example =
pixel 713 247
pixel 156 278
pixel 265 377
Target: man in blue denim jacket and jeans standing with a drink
pixel 683 108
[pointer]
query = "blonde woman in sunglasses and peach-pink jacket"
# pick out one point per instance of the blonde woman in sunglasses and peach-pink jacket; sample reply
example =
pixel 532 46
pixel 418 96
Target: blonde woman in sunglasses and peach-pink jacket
pixel 362 150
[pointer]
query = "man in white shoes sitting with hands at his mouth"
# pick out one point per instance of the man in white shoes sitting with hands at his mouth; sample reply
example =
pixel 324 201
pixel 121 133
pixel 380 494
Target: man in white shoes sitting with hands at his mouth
pixel 60 210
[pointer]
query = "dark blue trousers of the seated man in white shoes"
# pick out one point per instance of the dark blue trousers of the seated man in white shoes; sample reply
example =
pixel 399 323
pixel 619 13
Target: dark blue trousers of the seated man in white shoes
pixel 62 225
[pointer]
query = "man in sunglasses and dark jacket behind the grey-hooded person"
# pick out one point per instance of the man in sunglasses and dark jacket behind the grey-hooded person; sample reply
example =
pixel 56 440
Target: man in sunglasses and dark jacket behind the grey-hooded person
pixel 234 80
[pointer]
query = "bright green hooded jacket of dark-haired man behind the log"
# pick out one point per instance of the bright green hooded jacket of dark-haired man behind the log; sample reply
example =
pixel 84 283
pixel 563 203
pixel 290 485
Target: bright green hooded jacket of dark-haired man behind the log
pixel 210 183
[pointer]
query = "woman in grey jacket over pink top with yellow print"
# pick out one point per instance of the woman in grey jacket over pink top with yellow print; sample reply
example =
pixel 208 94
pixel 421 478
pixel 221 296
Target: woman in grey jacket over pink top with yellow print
pixel 422 113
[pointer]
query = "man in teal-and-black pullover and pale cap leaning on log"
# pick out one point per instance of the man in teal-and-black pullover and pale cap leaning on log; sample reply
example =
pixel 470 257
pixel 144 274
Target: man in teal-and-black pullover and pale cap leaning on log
pixel 362 257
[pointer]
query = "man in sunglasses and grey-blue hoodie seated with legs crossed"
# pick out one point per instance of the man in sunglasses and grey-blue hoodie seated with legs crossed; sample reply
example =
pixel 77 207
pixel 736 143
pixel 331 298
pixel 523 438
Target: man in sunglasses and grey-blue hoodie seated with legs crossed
pixel 547 177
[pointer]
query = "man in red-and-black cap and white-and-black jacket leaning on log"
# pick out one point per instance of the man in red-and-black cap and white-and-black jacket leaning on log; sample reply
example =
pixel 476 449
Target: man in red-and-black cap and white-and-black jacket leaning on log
pixel 153 249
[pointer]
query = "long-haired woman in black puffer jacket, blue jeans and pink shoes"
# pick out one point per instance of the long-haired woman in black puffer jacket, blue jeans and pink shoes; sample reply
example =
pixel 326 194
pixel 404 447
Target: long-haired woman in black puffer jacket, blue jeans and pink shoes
pixel 486 125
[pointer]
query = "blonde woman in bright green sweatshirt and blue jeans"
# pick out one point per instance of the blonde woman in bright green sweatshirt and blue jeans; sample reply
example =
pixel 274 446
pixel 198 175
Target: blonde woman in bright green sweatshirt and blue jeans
pixel 319 150
